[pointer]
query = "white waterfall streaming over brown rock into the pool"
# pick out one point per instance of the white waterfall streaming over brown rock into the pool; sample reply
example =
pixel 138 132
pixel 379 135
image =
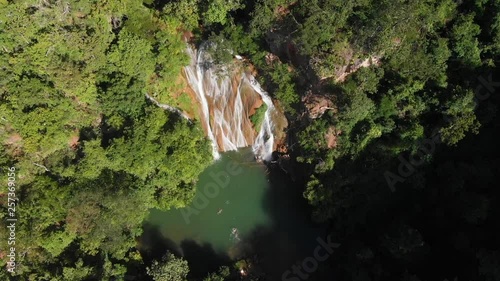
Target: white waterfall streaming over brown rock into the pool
pixel 225 102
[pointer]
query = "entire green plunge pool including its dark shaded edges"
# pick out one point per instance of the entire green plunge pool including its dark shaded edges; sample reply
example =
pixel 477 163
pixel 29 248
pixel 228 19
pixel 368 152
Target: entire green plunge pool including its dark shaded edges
pixel 240 210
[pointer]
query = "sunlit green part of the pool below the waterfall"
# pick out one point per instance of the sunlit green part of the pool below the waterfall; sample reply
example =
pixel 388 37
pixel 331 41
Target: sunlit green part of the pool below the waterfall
pixel 228 205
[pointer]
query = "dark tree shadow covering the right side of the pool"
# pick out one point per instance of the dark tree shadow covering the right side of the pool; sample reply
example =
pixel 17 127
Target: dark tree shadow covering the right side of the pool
pixel 292 235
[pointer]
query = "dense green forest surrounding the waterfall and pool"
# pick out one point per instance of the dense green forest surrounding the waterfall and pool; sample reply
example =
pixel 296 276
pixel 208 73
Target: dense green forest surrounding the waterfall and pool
pixel 401 165
